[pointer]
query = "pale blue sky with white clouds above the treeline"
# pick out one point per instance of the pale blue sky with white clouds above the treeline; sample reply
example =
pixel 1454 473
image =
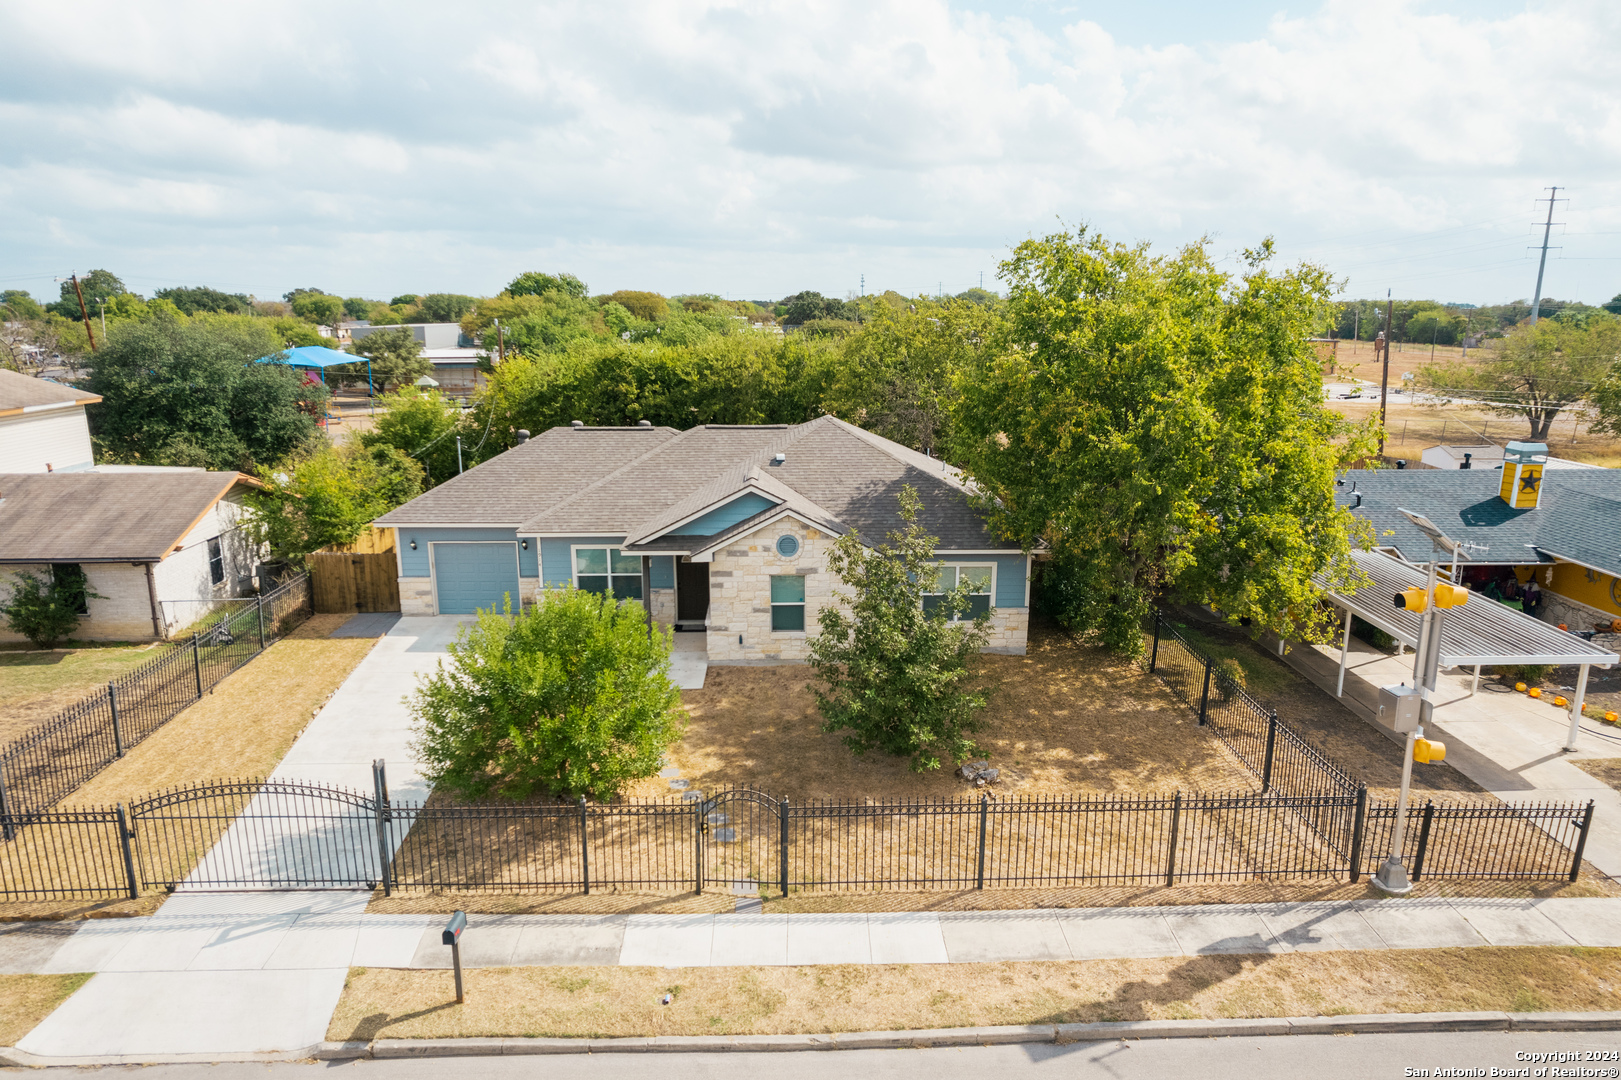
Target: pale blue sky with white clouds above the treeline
pixel 755 150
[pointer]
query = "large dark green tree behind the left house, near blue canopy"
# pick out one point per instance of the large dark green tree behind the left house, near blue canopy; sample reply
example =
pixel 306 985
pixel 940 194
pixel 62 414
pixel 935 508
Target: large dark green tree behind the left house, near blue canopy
pixel 181 392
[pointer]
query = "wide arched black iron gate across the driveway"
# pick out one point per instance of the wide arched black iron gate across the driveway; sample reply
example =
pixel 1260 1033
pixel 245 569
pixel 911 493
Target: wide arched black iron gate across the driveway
pixel 257 834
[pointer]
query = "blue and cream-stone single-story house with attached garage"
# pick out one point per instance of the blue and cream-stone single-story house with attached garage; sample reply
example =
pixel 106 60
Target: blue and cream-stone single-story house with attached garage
pixel 722 529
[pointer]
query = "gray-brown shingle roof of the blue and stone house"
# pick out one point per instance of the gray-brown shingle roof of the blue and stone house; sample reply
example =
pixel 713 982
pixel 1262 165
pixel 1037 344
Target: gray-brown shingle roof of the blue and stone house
pixel 641 482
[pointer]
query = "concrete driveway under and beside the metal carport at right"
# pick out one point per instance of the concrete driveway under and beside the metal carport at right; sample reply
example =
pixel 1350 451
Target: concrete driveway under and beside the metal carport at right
pixel 1508 744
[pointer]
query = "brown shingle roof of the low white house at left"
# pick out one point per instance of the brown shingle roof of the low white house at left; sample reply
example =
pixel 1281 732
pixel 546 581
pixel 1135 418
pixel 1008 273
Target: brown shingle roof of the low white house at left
pixel 103 518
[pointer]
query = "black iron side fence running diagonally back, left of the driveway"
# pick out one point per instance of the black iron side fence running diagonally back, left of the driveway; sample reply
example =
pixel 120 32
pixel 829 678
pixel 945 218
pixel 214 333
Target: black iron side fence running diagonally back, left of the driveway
pixel 49 763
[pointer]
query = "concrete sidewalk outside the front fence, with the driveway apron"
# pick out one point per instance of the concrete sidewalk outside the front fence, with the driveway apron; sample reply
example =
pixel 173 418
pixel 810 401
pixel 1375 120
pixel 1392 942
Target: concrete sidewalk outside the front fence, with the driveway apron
pixel 218 974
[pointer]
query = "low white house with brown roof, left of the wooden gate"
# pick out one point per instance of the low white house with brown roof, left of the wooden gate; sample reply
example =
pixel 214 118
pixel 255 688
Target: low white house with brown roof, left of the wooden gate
pixel 160 547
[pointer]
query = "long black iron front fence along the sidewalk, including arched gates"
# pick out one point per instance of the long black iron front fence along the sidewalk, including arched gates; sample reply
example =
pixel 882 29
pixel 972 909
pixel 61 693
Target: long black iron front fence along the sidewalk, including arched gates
pixel 272 834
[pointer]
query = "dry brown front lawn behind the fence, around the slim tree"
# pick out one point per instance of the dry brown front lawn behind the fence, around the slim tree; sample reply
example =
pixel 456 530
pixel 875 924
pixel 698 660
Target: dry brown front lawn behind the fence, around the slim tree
pixel 1067 719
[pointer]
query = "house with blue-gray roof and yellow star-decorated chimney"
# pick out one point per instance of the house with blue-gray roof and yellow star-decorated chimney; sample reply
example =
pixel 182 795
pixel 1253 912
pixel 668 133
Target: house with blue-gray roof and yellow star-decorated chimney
pixel 1560 525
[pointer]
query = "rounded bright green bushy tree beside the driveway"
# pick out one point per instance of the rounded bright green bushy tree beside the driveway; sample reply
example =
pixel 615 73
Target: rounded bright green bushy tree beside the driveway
pixel 570 698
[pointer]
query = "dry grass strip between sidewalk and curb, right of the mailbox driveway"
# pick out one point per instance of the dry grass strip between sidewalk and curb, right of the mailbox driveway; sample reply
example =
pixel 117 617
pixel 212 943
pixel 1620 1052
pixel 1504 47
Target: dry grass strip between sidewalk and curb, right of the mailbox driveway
pixel 605 1003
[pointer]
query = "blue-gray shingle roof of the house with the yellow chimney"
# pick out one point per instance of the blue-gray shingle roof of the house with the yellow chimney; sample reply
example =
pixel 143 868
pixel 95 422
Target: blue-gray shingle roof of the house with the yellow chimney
pixel 1580 516
